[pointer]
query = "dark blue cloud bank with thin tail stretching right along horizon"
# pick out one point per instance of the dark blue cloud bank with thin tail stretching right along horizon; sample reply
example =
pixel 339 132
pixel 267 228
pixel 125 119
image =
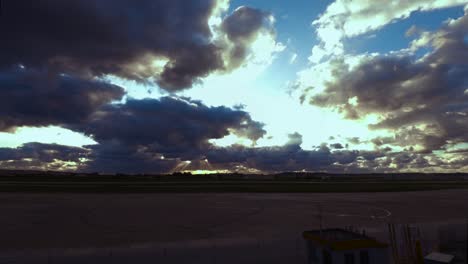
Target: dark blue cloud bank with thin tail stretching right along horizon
pixel 173 134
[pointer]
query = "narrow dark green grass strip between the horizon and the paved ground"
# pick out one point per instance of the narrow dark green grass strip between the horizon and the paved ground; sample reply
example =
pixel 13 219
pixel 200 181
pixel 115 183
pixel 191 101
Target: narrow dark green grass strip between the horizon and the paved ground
pixel 223 186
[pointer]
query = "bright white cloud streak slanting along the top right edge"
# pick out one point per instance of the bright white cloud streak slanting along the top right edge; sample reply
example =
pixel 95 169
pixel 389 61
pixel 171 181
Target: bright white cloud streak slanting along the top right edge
pixel 349 18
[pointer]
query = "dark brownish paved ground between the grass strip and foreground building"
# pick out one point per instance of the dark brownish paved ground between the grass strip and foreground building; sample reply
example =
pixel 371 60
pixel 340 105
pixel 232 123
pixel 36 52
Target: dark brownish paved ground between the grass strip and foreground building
pixel 41 222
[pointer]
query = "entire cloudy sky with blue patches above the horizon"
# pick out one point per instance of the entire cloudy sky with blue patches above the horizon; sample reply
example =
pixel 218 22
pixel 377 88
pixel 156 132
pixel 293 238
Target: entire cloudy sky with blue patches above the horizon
pixel 155 86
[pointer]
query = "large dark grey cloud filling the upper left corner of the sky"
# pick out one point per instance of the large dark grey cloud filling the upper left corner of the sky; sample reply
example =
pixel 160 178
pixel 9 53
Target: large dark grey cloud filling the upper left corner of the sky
pixel 123 38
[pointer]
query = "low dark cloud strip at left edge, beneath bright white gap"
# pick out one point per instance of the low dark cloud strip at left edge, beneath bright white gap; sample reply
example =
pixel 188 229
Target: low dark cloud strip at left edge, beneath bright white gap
pixel 42 156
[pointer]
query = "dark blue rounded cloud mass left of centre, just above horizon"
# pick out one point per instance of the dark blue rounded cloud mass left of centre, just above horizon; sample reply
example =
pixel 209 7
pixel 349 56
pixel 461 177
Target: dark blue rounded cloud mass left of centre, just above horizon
pixel 154 135
